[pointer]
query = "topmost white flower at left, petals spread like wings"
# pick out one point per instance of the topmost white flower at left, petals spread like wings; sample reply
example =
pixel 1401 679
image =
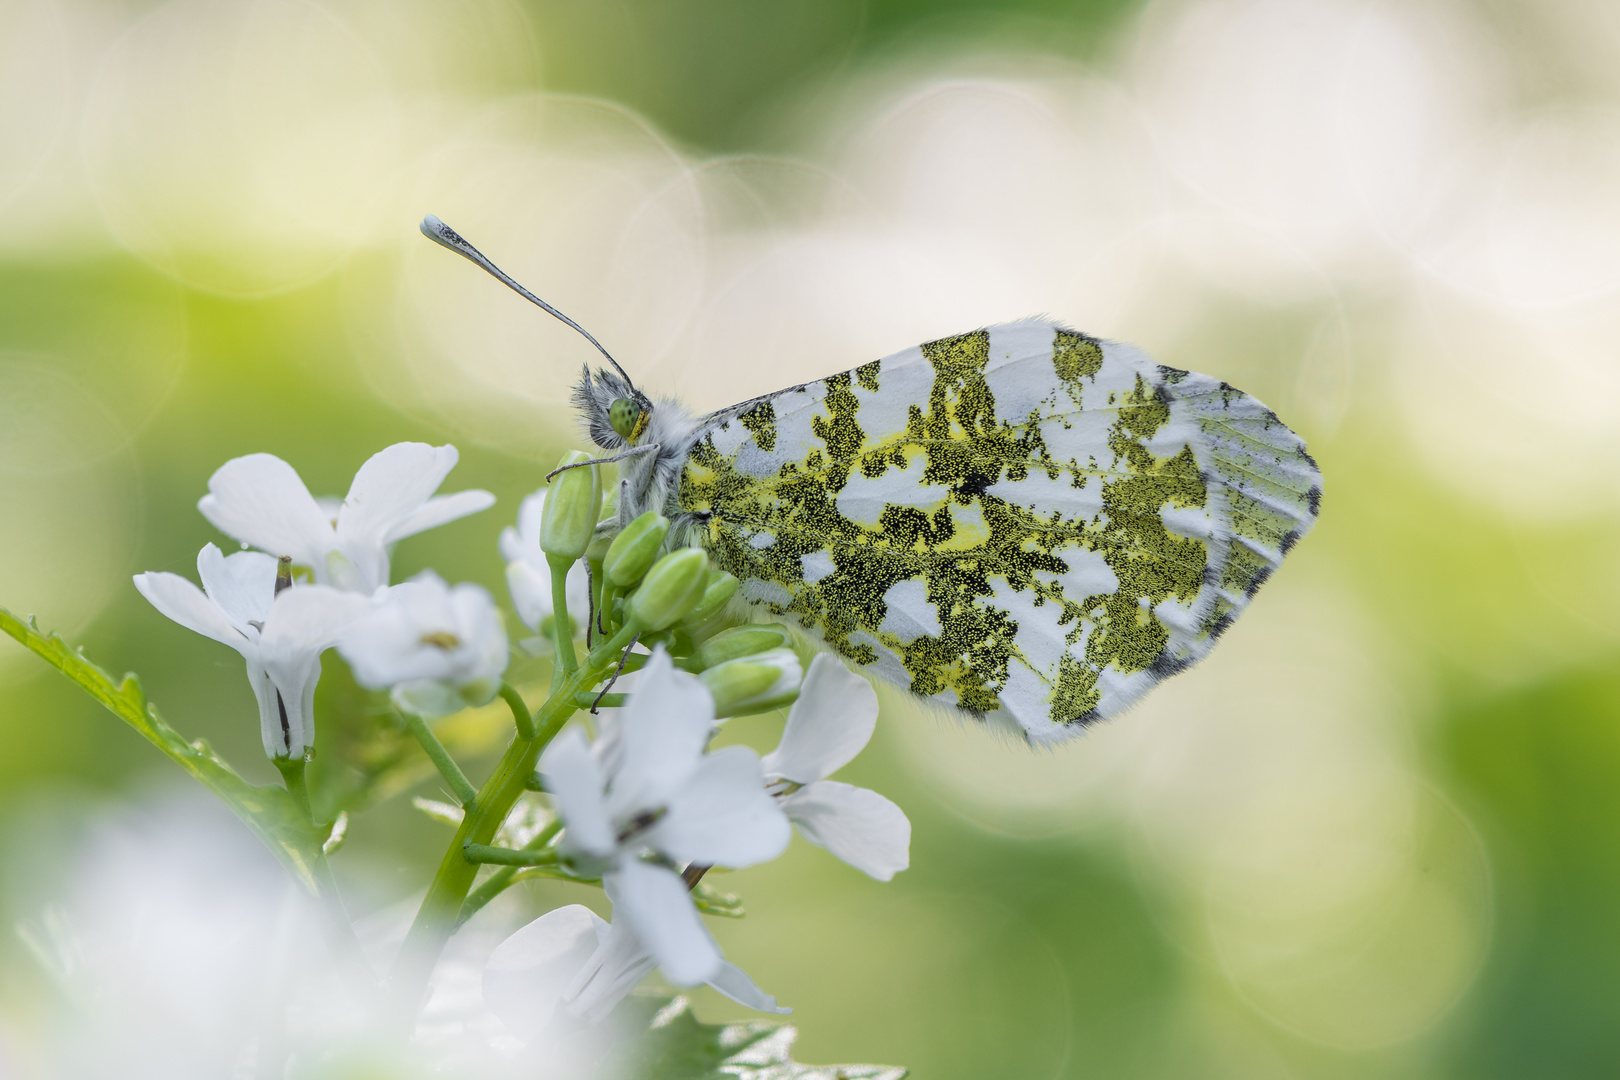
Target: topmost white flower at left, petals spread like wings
pixel 260 501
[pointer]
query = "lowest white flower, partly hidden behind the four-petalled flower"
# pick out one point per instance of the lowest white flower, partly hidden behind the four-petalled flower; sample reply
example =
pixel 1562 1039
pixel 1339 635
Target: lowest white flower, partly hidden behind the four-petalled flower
pixel 571 958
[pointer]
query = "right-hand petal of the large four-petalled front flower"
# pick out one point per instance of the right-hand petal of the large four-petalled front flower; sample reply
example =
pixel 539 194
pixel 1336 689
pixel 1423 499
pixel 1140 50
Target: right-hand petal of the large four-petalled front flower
pixel 723 815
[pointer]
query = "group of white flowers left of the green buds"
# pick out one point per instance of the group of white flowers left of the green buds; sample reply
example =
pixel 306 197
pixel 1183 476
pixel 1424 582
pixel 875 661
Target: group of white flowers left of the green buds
pixel 422 634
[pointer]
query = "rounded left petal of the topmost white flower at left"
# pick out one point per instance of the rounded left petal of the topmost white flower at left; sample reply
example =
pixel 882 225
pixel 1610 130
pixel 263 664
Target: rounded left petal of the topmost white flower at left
pixel 258 500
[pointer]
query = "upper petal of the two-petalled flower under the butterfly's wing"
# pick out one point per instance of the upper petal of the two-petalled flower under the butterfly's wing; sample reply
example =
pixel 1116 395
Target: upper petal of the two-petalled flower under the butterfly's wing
pixel 829 726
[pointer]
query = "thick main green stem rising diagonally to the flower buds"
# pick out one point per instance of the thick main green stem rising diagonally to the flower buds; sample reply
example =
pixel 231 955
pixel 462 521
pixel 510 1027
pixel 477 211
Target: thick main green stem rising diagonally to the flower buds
pixel 448 891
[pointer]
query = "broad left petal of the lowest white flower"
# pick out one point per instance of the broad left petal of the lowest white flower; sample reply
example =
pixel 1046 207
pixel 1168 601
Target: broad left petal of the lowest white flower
pixel 529 972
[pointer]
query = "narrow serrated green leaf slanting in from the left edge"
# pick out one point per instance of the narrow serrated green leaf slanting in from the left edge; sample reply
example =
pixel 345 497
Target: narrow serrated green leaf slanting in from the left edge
pixel 270 812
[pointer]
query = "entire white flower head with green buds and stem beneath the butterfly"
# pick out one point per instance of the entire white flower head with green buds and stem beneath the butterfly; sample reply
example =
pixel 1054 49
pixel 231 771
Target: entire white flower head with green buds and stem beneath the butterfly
pixel 639 802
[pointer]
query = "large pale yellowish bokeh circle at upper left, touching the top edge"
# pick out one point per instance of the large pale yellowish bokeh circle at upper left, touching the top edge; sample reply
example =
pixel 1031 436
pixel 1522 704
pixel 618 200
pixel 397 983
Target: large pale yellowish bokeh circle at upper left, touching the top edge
pixel 241 145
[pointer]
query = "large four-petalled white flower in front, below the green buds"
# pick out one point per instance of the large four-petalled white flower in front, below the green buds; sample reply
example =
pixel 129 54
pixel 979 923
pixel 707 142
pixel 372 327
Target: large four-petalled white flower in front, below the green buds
pixel 647 786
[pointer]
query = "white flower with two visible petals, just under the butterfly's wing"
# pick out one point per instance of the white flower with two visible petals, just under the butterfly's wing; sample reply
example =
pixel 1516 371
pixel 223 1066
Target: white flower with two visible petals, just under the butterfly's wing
pixel 830 725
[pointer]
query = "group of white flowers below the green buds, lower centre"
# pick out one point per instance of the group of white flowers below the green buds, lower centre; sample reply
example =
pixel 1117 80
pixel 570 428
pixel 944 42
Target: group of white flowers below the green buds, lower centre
pixel 650 810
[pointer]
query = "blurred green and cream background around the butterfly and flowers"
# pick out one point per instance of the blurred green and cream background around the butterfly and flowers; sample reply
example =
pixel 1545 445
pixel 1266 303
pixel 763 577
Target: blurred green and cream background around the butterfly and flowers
pixel 1376 835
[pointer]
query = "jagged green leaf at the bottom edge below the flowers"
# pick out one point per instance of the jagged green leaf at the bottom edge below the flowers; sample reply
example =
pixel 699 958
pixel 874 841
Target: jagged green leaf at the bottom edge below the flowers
pixel 676 1047
